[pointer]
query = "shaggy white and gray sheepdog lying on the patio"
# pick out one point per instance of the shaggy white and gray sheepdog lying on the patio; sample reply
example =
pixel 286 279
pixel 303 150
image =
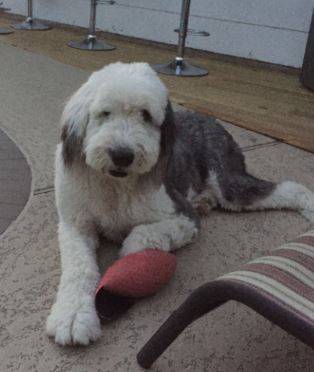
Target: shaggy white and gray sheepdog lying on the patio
pixel 131 169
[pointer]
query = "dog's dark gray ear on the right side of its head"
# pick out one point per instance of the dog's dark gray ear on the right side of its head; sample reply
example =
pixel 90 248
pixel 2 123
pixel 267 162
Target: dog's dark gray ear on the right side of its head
pixel 168 131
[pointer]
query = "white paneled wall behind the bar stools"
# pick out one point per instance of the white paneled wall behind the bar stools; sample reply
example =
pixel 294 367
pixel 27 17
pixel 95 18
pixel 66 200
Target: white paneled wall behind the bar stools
pixel 267 30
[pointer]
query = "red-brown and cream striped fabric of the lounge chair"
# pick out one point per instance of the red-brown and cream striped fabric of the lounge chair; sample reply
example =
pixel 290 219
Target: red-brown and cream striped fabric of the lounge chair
pixel 286 276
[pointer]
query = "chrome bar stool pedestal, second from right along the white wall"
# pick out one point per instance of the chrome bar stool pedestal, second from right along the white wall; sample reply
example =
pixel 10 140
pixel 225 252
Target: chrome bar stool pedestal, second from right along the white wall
pixel 91 42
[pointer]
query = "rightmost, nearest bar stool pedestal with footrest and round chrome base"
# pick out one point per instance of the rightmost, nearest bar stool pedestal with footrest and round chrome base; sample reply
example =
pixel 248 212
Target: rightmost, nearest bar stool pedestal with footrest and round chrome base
pixel 179 66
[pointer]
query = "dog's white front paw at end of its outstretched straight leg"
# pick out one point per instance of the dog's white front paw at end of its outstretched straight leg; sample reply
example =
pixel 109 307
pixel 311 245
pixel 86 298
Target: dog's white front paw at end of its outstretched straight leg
pixel 71 326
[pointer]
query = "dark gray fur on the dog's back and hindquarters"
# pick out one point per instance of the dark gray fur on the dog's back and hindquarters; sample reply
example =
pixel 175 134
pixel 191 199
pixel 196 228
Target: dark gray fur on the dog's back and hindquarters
pixel 203 146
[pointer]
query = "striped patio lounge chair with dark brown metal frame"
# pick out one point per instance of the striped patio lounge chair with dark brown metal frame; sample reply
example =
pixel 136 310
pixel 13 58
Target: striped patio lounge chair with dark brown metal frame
pixel 279 286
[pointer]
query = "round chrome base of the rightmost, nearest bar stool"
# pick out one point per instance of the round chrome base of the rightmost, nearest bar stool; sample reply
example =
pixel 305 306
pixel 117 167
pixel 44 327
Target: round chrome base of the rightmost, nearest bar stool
pixel 180 67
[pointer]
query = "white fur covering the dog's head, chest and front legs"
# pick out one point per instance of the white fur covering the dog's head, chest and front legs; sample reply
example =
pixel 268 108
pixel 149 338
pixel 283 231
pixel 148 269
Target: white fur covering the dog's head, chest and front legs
pixel 135 208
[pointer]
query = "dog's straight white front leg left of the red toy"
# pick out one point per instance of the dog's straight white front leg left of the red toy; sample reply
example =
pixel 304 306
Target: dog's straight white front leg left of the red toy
pixel 73 318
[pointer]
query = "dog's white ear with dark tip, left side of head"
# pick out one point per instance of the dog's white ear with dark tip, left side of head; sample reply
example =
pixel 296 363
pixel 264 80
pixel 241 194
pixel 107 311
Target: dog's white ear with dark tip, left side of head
pixel 74 120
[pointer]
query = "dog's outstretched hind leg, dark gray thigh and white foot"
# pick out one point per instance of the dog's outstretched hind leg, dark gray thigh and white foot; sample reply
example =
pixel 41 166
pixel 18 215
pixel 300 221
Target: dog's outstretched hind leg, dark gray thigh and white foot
pixel 245 192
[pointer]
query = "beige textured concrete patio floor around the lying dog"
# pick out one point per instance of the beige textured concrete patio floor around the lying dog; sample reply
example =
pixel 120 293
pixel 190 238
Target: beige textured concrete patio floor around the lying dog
pixel 233 338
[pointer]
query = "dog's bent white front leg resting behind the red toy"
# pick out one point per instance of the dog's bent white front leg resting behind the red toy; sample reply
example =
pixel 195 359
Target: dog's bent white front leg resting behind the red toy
pixel 165 235
